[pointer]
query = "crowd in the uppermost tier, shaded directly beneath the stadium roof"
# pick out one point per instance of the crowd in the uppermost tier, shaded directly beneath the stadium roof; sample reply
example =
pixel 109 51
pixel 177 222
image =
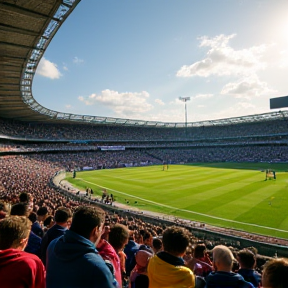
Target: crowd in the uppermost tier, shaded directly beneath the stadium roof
pixel 57 131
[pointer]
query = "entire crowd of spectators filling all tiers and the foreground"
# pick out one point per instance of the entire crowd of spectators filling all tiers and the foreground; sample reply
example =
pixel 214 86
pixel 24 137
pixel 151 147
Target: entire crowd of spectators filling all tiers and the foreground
pixel 127 250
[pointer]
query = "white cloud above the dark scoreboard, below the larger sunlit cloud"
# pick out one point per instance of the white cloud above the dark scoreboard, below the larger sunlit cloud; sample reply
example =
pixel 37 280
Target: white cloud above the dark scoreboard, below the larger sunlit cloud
pixel 247 88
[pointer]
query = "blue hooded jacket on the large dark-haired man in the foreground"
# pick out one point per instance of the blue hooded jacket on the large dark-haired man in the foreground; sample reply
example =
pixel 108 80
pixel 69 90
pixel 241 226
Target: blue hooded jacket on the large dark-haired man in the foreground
pixel 73 261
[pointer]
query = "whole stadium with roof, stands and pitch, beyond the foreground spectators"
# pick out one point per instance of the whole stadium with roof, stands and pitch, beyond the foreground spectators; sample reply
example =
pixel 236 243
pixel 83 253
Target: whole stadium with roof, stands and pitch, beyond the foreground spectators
pixel 224 180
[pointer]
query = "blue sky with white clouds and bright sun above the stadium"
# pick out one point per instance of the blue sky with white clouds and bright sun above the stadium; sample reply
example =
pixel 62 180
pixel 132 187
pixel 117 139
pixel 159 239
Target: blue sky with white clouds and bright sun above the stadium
pixel 134 58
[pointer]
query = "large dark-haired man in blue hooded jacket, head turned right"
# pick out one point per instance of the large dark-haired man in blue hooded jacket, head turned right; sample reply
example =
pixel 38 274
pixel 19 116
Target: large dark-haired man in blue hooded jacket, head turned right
pixel 72 259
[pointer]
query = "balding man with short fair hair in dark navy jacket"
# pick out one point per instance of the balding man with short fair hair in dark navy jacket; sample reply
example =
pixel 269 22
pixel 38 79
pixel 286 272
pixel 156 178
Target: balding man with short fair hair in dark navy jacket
pixel 223 276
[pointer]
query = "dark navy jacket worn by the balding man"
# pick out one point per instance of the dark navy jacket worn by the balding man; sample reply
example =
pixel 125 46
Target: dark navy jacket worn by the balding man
pixel 222 279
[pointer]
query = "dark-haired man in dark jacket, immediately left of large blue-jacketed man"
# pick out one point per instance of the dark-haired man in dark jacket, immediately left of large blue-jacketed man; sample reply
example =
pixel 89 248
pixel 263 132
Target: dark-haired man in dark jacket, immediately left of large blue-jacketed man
pixel 63 218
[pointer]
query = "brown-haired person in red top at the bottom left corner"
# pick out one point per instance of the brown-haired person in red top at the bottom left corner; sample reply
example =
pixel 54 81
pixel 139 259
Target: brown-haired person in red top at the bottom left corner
pixel 18 268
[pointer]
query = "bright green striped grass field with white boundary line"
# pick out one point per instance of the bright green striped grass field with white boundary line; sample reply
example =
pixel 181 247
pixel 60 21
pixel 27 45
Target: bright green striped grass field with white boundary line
pixel 233 195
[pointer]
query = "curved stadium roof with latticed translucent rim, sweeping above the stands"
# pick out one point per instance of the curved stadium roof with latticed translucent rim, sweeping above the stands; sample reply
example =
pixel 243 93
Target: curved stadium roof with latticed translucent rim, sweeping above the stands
pixel 26 29
